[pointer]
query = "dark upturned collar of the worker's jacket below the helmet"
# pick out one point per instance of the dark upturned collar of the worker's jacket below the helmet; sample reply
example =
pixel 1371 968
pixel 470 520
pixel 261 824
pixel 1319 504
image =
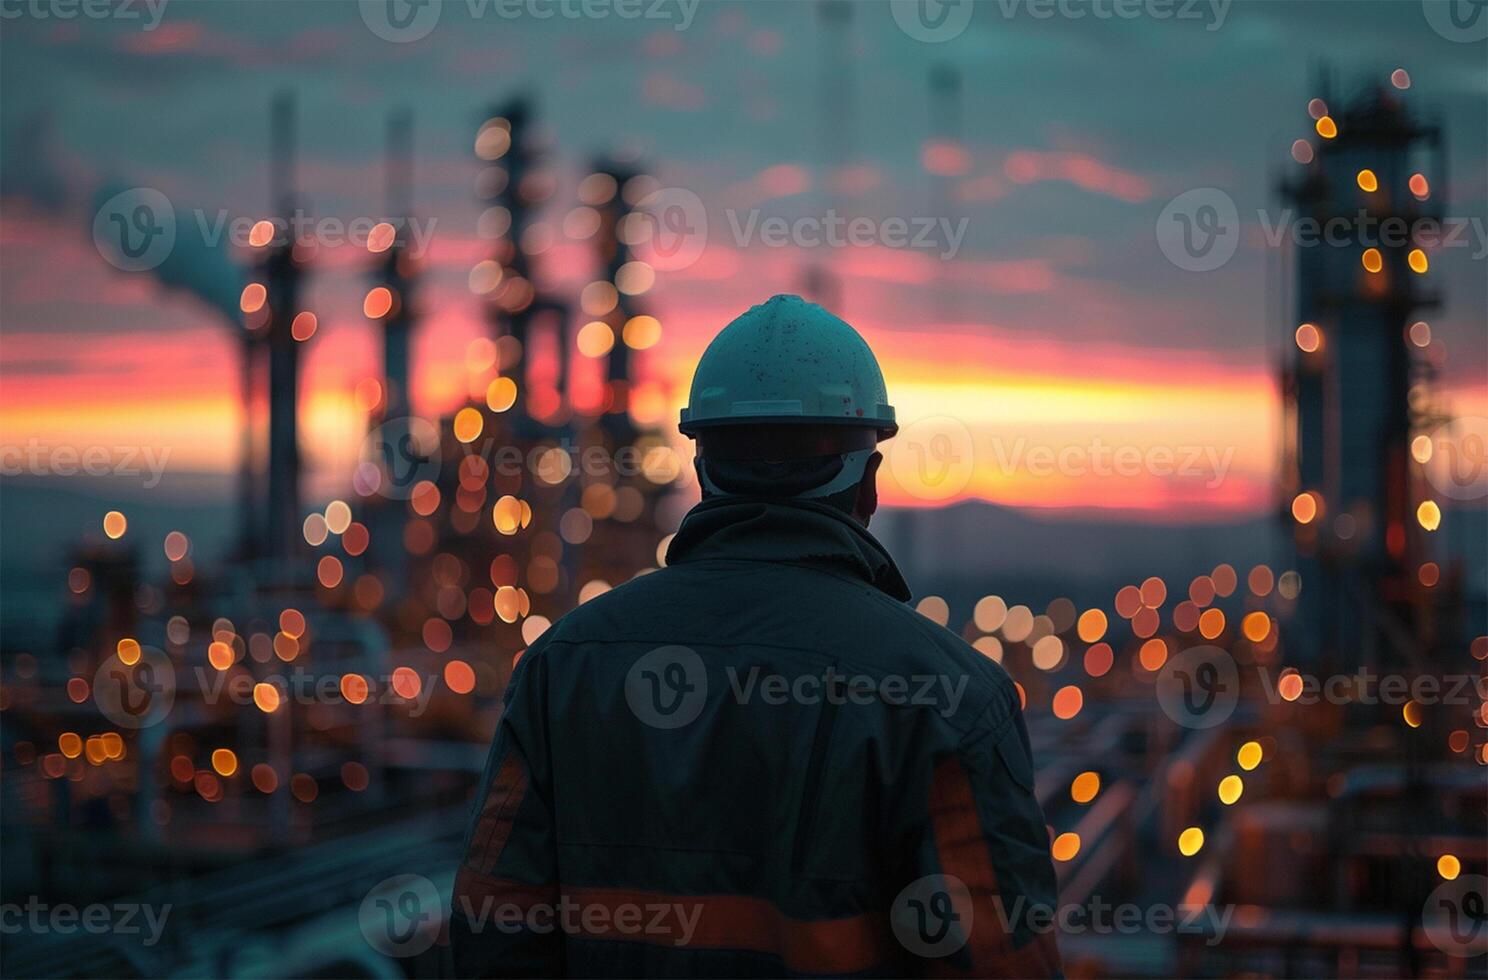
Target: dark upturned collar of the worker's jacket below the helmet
pixel 798 533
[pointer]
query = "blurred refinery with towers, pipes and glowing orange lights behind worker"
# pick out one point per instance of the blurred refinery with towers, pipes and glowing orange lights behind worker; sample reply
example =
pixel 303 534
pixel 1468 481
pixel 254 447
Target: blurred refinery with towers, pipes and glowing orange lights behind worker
pixel 167 750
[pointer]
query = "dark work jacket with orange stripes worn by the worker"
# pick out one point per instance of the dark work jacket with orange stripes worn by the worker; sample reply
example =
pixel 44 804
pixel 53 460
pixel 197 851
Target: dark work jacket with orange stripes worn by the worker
pixel 757 762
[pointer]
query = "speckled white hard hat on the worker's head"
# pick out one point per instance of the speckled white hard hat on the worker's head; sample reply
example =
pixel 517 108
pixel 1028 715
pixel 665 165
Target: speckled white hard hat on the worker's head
pixel 789 362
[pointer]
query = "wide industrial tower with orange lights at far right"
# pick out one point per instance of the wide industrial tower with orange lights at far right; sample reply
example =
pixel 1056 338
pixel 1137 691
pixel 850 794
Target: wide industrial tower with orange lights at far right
pixel 1355 384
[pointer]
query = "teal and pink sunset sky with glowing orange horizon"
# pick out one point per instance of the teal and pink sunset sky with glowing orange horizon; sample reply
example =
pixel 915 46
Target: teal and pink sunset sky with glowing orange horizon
pixel 1057 323
